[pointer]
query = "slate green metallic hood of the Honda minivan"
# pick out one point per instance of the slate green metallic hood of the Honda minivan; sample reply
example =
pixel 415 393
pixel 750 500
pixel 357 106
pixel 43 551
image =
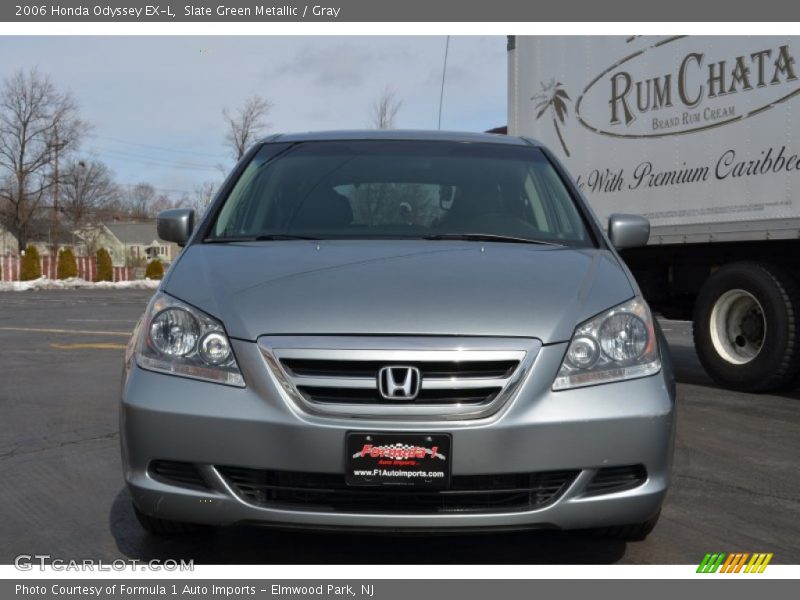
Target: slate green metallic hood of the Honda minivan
pixel 398 287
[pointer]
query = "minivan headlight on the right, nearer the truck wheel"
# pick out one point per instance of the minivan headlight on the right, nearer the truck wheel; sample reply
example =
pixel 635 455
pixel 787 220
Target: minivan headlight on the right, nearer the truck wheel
pixel 615 345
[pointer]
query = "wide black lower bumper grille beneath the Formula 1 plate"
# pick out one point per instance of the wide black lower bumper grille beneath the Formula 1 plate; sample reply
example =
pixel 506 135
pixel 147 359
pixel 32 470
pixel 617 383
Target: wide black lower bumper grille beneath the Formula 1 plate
pixel 328 492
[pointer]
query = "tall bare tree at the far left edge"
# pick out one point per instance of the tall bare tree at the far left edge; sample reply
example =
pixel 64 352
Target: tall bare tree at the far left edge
pixel 36 123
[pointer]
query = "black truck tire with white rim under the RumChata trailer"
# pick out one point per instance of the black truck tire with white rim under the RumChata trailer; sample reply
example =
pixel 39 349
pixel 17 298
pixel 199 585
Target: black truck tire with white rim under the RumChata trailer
pixel 747 327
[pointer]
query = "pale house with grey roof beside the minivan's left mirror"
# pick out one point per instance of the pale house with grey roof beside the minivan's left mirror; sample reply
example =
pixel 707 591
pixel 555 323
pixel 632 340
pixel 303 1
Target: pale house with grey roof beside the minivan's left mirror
pixel 130 243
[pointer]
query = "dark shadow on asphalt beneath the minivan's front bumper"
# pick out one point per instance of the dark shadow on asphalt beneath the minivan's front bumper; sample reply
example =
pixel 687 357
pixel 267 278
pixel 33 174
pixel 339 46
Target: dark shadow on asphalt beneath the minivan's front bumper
pixel 255 545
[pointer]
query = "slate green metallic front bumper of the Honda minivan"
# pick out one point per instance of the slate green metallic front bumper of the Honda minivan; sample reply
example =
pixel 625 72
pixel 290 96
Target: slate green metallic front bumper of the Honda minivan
pixel 586 429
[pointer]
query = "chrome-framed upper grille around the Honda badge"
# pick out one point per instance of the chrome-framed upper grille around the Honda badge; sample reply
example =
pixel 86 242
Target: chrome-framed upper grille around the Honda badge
pixel 458 377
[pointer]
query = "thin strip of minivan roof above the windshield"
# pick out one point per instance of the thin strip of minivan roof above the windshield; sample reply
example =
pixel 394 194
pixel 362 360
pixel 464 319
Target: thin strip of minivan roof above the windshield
pixel 401 134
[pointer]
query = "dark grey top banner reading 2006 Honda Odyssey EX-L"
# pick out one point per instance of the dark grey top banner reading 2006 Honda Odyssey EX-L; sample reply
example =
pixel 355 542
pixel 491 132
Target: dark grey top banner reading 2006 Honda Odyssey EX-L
pixel 207 11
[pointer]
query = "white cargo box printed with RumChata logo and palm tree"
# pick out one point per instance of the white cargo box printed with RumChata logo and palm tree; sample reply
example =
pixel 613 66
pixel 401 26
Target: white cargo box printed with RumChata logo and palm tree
pixel 699 134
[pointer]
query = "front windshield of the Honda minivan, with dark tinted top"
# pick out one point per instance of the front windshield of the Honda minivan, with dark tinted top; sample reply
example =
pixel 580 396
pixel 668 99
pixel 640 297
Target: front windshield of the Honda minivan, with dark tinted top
pixel 367 189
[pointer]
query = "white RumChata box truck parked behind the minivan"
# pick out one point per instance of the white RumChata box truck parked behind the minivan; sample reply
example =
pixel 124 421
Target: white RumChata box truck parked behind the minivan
pixel 701 135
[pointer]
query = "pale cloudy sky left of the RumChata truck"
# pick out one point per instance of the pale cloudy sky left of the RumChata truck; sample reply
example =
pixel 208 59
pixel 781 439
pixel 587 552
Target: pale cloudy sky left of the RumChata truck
pixel 168 92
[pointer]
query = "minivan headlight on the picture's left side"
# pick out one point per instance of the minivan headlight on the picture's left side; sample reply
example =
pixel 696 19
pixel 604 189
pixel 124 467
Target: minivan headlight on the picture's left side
pixel 180 340
